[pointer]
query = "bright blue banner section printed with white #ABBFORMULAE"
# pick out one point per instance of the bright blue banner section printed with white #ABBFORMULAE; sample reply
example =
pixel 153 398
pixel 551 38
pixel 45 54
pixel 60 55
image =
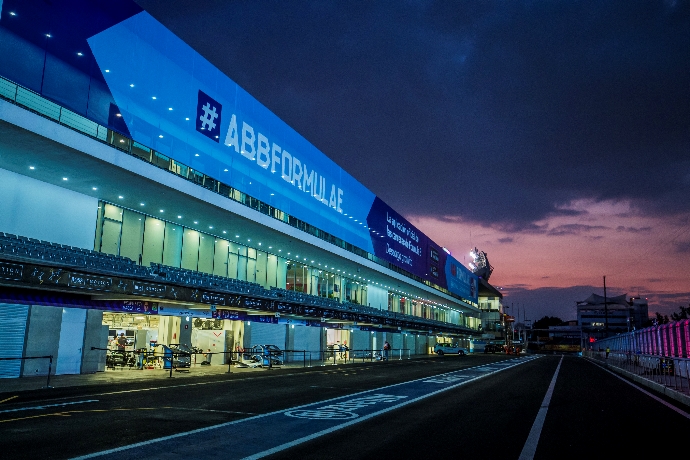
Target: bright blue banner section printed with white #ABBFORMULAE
pixel 178 103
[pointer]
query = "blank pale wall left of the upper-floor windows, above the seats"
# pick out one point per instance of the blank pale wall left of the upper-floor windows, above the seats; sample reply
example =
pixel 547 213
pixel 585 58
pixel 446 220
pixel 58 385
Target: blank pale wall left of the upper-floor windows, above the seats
pixel 44 211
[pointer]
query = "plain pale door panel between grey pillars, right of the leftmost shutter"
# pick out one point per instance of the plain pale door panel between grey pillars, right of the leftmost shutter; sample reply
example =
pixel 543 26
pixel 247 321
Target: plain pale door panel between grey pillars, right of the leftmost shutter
pixel 71 341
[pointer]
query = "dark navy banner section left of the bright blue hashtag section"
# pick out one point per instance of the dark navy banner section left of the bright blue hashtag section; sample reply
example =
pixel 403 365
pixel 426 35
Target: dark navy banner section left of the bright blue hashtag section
pixel 43 47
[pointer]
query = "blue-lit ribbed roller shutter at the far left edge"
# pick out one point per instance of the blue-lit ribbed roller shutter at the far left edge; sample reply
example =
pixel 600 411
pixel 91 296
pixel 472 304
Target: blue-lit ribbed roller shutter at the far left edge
pixel 12 331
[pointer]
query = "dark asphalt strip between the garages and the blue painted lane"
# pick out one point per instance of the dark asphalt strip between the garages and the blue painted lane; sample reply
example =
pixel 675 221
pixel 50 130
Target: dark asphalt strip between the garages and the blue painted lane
pixel 83 414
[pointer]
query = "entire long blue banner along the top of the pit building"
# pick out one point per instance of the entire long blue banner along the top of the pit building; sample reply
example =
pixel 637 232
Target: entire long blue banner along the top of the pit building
pixel 113 63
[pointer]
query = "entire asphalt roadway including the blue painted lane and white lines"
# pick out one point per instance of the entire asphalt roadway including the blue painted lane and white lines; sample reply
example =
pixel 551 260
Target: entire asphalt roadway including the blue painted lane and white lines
pixel 593 413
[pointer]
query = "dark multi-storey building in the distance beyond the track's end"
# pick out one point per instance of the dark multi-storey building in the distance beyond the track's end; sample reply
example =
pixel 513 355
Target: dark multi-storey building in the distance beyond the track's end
pixel 601 316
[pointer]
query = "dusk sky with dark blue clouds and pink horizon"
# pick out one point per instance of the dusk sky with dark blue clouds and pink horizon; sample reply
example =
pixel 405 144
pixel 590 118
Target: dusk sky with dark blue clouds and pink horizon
pixel 553 135
